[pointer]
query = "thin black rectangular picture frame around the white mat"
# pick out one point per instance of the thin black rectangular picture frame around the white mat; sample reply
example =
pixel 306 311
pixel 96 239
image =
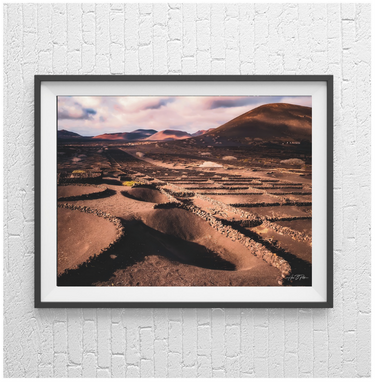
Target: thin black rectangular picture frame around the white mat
pixel 39 80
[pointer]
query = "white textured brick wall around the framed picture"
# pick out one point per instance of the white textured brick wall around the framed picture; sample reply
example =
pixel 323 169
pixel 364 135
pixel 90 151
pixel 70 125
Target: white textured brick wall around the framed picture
pixel 190 39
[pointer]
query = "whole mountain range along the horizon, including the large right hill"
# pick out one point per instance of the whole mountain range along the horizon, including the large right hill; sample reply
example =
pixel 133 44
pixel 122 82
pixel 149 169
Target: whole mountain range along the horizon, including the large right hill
pixel 269 122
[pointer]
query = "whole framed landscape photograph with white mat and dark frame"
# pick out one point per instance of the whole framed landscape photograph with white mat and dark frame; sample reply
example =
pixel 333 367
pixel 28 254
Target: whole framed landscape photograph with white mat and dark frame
pixel 184 191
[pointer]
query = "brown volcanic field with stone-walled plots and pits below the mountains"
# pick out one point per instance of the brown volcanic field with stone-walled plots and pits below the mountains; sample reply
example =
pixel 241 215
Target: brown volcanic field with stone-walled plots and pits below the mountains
pixel 154 215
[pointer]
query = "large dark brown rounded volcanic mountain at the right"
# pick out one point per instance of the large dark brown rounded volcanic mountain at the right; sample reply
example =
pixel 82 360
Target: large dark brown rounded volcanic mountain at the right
pixel 279 121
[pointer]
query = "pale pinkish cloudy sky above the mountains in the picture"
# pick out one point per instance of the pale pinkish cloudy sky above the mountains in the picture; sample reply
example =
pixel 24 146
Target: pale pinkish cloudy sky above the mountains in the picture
pixel 95 115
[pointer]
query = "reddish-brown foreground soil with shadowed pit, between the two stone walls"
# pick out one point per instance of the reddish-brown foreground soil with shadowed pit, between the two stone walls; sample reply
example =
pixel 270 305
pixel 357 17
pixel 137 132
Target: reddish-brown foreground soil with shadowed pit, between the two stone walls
pixel 188 249
